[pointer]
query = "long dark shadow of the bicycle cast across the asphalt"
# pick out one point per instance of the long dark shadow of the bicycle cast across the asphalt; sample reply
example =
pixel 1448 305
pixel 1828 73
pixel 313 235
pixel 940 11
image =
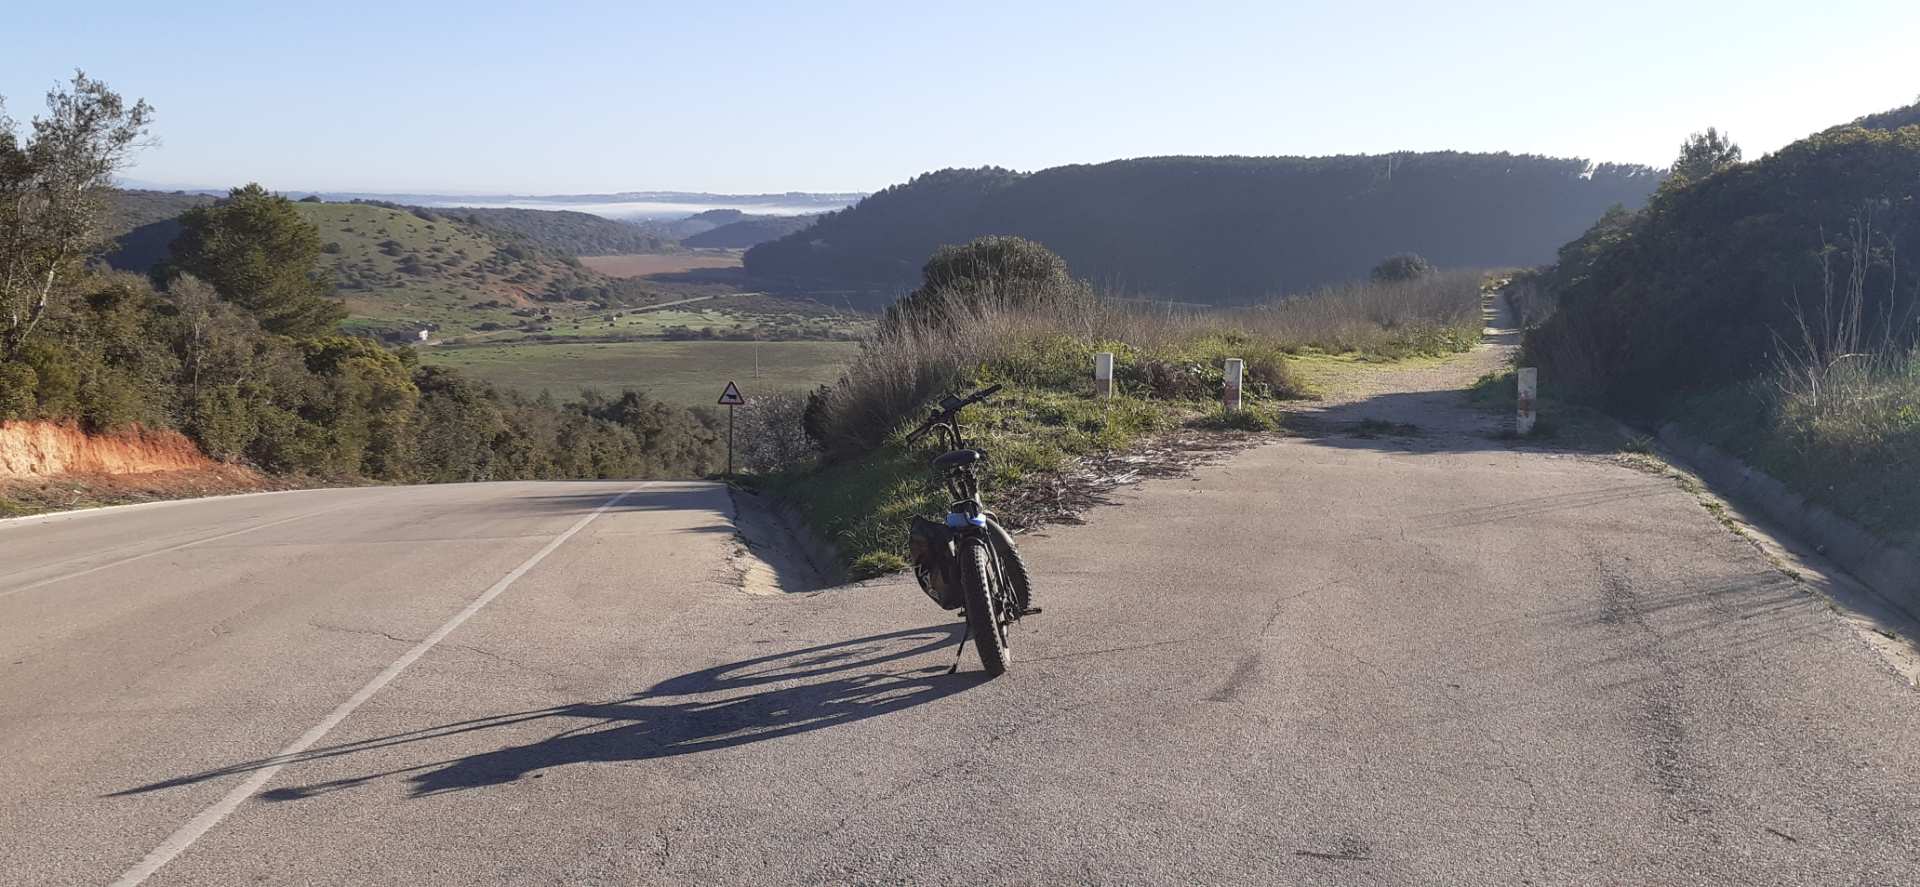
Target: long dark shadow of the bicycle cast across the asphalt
pixel 683 715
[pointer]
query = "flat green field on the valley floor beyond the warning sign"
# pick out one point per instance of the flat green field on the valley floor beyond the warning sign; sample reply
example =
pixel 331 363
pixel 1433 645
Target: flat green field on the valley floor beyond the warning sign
pixel 688 373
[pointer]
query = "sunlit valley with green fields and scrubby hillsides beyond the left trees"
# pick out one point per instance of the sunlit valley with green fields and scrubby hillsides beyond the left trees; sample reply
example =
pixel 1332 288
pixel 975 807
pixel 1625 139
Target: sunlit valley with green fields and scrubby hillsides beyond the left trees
pixel 525 300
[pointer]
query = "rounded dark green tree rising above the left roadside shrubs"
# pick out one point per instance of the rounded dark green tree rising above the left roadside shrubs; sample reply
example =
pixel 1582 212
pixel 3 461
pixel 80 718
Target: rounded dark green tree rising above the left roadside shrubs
pixel 260 254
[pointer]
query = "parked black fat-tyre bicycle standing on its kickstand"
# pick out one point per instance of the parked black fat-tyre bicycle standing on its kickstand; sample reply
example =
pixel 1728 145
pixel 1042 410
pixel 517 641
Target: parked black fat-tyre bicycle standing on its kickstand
pixel 971 562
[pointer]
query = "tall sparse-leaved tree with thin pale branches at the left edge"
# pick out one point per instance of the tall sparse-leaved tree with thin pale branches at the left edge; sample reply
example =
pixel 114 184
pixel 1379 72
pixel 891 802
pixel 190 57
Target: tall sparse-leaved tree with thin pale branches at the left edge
pixel 51 185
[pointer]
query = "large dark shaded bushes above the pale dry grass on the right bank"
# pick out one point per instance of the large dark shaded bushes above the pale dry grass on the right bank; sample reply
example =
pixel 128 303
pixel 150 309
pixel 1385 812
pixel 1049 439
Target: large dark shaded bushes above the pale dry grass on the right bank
pixel 1698 293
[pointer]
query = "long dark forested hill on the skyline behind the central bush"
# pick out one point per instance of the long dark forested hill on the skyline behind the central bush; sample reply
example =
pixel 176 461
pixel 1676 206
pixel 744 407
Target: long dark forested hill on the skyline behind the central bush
pixel 1220 229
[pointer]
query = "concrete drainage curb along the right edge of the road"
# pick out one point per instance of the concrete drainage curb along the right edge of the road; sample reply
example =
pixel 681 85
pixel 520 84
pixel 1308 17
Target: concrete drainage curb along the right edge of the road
pixel 1892 571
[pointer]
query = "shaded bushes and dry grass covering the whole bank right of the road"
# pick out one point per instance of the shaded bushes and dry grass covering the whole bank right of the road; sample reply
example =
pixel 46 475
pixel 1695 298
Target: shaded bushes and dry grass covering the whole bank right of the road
pixel 1767 306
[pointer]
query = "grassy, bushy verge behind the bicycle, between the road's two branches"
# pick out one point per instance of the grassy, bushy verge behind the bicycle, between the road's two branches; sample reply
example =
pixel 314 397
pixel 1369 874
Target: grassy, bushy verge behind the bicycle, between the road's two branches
pixel 1007 312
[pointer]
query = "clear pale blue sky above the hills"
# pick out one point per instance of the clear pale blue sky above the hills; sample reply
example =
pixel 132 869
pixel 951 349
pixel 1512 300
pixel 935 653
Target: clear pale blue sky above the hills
pixel 746 97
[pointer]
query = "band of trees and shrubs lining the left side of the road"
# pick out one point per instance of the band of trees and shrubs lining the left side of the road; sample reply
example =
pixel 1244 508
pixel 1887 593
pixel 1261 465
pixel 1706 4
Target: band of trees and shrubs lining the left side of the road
pixel 235 341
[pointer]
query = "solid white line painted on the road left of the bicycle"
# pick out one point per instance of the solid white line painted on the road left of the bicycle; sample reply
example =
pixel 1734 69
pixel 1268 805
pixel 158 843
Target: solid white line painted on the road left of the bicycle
pixel 212 817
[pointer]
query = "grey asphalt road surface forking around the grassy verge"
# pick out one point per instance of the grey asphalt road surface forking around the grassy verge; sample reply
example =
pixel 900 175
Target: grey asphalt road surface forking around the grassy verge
pixel 1326 661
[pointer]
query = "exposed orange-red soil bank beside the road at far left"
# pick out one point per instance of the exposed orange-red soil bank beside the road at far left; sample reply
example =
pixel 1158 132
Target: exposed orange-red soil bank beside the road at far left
pixel 45 450
